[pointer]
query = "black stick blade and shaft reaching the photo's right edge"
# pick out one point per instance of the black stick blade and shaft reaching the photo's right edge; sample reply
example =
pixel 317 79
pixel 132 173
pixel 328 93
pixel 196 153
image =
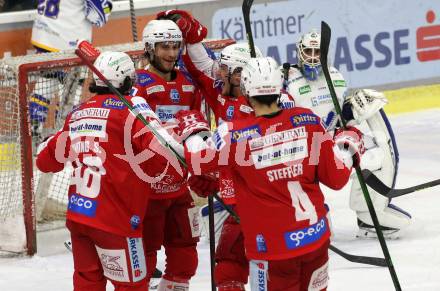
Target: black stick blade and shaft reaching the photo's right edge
pixel 377 185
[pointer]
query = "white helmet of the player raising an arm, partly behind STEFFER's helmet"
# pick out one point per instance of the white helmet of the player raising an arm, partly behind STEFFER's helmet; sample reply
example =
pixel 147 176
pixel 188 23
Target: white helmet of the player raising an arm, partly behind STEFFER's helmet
pixel 237 55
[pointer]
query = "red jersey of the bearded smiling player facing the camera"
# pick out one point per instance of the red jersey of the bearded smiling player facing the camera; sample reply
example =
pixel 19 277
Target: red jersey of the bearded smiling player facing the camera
pixel 166 98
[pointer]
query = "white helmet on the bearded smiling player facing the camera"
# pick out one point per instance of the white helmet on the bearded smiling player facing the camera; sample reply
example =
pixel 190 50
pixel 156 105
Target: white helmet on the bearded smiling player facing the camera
pixel 160 31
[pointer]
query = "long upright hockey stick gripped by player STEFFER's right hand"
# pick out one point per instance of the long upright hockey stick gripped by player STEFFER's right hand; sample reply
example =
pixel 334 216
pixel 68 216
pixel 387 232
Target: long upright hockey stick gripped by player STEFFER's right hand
pixel 325 43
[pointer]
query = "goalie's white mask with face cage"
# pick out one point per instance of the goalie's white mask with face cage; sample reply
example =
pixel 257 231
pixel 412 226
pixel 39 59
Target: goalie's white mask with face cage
pixel 308 53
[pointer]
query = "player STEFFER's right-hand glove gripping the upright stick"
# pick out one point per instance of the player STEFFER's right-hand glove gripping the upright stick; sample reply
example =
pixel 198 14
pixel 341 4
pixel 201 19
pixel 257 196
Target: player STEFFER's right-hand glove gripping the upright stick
pixel 349 146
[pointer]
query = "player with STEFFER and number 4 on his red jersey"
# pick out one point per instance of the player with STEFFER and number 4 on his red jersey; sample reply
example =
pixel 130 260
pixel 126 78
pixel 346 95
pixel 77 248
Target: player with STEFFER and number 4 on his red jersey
pixel 278 158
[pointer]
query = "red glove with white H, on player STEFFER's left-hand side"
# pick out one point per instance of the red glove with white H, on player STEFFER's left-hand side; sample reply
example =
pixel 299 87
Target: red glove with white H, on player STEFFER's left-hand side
pixel 191 122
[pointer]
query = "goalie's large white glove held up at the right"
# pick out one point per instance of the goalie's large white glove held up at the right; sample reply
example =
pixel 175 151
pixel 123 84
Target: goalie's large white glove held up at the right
pixel 365 103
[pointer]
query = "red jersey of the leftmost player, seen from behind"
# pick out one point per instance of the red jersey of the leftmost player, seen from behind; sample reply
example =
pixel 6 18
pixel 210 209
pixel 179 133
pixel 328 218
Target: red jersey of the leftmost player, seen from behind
pixel 109 184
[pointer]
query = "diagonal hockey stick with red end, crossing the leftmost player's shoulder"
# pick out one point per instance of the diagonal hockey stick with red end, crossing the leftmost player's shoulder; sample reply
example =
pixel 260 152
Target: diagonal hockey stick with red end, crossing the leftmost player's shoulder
pixel 86 52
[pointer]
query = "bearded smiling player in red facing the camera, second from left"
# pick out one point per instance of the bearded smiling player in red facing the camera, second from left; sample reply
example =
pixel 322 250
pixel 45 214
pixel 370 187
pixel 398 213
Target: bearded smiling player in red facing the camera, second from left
pixel 172 217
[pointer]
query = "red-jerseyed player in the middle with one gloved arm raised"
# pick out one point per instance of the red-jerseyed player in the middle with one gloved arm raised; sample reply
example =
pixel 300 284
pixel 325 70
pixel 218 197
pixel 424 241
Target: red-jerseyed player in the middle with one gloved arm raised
pixel 219 81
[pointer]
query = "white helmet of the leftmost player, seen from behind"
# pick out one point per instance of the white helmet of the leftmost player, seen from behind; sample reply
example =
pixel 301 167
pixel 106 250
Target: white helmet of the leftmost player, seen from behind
pixel 115 66
